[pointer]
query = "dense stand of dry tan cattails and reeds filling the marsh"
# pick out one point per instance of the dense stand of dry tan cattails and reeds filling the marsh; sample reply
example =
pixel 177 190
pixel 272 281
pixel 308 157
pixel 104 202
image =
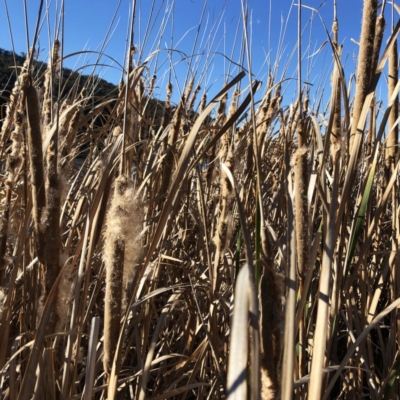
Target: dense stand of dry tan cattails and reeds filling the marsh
pixel 247 251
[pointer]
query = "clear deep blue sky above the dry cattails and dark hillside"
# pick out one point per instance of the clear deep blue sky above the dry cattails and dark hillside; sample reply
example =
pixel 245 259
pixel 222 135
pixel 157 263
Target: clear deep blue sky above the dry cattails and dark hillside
pixel 175 24
